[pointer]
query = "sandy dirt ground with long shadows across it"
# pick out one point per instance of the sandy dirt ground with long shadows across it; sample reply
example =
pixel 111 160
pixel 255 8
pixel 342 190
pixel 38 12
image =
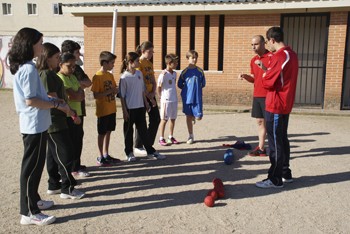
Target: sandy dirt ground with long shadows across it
pixel 167 196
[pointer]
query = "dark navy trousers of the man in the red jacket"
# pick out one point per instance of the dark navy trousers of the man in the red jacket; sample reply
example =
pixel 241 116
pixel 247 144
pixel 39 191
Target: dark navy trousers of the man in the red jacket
pixel 279 149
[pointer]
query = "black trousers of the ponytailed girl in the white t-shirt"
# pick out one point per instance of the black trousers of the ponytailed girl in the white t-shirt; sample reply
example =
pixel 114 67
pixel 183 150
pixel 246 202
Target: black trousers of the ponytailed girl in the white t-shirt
pixel 137 117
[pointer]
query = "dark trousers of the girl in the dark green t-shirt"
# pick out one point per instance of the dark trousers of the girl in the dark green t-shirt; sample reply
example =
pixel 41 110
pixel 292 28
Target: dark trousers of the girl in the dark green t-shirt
pixel 59 161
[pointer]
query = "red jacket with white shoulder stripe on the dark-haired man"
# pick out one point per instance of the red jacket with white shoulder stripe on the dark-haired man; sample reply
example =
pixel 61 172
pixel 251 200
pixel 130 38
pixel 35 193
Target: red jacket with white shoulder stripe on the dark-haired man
pixel 281 81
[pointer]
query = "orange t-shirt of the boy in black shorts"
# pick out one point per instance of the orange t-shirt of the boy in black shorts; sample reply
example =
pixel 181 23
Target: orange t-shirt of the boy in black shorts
pixel 102 82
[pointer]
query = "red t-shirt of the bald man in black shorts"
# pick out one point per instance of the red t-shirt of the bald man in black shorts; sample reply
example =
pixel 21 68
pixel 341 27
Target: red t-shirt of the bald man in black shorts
pixel 259 90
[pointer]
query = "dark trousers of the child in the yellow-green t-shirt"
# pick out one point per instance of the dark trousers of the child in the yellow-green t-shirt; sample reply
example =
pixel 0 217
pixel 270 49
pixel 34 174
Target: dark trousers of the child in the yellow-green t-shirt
pixel 76 134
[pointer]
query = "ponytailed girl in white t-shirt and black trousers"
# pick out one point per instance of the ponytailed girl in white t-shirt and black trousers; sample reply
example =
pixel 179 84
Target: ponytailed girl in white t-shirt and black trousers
pixel 133 99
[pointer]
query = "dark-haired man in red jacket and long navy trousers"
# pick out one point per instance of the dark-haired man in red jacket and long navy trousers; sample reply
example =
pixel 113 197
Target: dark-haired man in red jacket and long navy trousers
pixel 280 79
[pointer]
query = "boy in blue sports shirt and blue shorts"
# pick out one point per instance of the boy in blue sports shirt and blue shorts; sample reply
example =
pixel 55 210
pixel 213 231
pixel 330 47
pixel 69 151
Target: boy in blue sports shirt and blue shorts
pixel 191 81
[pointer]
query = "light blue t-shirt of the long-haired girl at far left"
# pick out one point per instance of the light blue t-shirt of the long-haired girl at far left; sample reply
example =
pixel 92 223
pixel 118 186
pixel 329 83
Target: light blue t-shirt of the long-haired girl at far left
pixel 27 85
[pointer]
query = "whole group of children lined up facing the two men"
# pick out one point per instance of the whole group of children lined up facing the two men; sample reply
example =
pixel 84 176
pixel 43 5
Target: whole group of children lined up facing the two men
pixel 49 99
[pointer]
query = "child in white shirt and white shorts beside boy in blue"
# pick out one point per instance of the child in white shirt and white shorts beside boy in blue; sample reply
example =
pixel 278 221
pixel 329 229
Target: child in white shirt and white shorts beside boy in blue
pixel 167 93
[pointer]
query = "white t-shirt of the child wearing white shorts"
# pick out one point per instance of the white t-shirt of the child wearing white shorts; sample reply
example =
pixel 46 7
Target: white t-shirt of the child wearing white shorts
pixel 168 83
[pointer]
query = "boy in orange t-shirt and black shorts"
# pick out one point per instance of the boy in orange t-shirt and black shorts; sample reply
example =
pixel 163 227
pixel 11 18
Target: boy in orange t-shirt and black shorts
pixel 105 89
